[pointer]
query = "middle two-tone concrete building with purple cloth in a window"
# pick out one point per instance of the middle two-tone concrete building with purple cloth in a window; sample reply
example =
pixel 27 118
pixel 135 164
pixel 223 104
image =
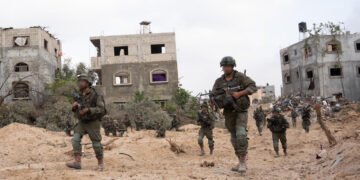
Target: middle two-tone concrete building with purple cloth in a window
pixel 140 62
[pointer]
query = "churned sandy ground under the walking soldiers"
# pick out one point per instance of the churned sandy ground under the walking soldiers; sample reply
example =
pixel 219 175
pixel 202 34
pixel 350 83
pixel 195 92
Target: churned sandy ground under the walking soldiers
pixel 32 153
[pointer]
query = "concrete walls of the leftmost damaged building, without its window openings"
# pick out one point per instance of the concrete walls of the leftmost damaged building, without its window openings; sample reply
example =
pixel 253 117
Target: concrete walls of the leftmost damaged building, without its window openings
pixel 42 63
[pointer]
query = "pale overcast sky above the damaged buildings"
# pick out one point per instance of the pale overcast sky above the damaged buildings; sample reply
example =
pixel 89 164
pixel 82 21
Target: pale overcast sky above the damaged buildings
pixel 252 31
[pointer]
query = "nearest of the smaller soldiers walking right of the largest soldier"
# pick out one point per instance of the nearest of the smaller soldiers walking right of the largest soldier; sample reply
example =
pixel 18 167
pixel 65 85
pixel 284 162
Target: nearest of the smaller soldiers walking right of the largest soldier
pixel 278 125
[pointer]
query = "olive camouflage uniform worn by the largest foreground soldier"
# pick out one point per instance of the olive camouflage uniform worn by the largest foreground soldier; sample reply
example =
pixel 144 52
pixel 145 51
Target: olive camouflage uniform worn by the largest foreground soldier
pixel 236 121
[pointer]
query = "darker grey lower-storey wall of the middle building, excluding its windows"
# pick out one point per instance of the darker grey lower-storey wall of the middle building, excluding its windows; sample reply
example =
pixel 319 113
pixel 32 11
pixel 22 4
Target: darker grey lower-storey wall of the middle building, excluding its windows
pixel 140 81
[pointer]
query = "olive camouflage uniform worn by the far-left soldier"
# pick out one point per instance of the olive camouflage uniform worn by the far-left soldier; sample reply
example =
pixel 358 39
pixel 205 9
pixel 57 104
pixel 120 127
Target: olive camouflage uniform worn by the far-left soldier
pixel 90 122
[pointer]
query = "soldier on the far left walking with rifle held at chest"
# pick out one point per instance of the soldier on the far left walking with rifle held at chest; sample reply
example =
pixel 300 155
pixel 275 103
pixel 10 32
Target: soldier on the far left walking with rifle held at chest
pixel 89 108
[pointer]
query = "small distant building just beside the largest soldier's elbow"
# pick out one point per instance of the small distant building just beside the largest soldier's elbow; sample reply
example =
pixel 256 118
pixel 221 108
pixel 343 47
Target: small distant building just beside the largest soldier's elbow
pixel 264 94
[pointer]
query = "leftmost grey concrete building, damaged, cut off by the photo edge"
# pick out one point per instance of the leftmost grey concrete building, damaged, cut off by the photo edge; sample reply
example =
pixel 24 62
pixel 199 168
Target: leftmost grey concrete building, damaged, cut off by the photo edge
pixel 32 53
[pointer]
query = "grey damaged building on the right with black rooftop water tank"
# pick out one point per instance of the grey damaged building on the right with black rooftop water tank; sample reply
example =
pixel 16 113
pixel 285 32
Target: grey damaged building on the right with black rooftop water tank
pixel 324 65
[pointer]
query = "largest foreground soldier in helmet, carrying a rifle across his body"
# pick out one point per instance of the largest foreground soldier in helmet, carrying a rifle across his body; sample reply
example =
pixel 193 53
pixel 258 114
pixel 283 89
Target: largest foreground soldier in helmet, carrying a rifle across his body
pixel 235 107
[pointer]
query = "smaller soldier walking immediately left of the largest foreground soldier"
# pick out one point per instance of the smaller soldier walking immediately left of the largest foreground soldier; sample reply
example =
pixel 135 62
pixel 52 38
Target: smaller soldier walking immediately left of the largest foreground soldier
pixel 206 121
